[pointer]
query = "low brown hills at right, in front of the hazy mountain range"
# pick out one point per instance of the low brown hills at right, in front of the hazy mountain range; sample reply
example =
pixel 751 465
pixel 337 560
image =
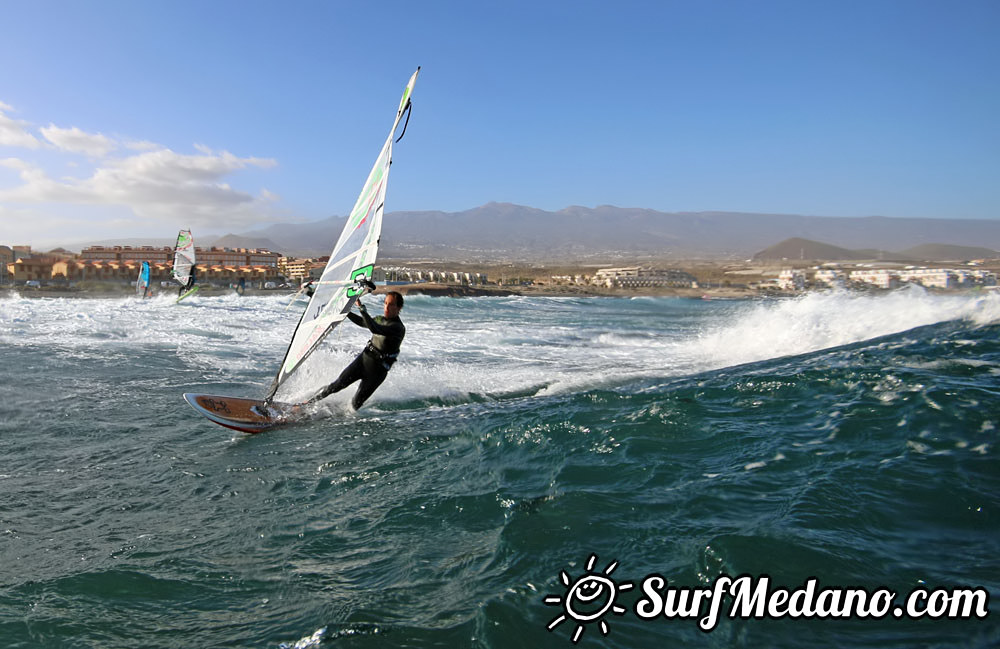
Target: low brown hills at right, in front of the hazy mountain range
pixel 804 249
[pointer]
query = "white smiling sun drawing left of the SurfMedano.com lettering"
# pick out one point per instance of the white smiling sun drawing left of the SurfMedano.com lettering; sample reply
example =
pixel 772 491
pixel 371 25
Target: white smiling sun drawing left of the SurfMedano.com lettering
pixel 588 599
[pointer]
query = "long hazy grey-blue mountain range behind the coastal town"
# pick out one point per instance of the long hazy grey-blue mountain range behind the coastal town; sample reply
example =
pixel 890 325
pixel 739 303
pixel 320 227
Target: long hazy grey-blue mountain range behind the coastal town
pixel 498 232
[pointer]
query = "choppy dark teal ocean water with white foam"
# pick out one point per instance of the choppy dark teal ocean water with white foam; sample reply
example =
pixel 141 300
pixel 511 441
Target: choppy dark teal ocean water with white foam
pixel 519 445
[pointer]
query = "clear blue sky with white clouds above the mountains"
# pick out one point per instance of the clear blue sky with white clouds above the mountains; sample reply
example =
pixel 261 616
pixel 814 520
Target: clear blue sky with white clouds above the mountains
pixel 123 118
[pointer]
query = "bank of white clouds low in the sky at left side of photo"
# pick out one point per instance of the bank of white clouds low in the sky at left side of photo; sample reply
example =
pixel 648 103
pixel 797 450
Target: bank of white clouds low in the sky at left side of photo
pixel 147 184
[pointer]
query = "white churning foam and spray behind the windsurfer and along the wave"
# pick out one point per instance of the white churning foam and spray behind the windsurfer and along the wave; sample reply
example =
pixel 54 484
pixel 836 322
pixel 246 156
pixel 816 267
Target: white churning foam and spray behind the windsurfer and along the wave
pixel 487 347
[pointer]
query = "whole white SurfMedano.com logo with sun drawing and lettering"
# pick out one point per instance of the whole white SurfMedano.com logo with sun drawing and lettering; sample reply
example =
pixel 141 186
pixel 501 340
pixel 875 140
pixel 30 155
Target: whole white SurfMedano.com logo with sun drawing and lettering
pixel 592 596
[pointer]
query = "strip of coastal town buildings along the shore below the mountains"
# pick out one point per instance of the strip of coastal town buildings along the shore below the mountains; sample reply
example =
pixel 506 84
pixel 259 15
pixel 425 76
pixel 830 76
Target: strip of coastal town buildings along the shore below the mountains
pixel 109 271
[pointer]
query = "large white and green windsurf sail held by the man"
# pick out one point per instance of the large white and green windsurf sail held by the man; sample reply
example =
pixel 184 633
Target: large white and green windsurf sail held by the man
pixel 351 262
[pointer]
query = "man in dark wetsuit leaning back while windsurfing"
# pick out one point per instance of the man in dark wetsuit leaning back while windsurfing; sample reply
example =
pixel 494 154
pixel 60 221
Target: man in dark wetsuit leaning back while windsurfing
pixel 372 365
